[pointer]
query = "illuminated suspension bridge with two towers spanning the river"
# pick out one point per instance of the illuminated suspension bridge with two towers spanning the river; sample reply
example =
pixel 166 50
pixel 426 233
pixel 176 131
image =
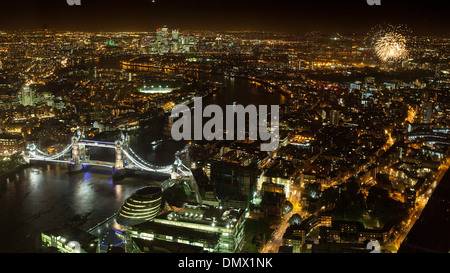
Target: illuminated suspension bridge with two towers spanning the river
pixel 77 157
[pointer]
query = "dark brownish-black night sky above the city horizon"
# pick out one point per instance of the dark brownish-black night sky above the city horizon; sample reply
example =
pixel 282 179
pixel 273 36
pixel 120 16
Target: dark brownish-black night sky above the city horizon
pixel 423 17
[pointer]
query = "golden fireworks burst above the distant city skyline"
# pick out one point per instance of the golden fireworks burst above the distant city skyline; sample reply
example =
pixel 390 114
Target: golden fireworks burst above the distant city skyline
pixel 390 42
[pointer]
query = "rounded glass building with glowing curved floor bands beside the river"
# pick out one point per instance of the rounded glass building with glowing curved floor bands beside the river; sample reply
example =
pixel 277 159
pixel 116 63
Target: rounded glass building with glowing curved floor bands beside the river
pixel 140 207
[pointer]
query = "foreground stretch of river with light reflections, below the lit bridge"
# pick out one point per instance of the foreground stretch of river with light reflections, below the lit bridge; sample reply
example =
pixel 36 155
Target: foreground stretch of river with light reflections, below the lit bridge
pixel 46 197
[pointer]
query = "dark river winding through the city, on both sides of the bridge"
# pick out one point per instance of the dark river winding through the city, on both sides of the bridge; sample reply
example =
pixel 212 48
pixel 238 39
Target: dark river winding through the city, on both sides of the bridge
pixel 44 197
